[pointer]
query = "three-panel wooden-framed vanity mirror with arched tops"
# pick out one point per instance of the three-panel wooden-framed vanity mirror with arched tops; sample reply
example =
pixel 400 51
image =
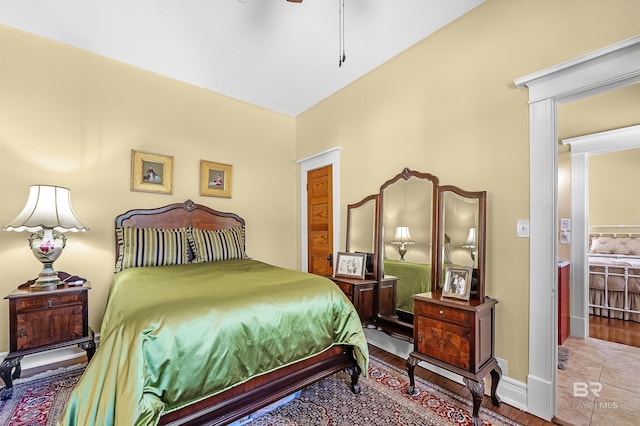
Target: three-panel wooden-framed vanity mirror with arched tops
pixel 414 229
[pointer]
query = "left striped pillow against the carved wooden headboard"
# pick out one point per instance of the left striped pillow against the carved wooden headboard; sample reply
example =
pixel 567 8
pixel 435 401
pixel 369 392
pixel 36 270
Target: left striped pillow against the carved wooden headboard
pixel 151 247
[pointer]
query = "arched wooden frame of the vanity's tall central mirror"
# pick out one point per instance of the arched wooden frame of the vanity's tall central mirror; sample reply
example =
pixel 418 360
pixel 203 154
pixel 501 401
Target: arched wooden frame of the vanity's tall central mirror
pixel 406 174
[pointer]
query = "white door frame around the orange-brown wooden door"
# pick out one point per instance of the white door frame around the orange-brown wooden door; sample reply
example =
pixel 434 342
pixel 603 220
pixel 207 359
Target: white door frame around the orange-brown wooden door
pixel 315 161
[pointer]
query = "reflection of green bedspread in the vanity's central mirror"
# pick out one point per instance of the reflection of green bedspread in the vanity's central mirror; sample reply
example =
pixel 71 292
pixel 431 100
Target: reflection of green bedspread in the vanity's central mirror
pixel 413 278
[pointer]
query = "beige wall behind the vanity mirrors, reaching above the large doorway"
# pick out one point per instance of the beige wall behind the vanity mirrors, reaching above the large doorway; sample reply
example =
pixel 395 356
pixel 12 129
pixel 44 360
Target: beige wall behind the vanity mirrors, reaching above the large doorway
pixel 448 106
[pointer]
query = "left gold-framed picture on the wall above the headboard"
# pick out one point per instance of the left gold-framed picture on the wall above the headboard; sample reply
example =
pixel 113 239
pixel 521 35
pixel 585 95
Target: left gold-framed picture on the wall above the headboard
pixel 151 172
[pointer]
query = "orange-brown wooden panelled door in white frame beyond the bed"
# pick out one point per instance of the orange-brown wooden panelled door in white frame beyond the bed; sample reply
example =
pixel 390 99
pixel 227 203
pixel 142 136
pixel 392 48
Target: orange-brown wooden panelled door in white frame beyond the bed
pixel 320 221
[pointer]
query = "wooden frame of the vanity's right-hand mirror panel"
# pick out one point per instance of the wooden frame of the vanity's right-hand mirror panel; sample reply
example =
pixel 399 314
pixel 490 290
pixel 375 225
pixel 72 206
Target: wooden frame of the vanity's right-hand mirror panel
pixel 481 236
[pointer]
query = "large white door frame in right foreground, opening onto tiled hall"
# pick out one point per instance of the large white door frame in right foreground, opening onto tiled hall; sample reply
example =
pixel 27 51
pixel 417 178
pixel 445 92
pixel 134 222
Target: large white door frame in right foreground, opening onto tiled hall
pixel 605 69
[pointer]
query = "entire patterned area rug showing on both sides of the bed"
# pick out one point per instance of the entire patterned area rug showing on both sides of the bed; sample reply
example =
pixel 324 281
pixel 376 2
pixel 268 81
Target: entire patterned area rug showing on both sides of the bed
pixel 38 401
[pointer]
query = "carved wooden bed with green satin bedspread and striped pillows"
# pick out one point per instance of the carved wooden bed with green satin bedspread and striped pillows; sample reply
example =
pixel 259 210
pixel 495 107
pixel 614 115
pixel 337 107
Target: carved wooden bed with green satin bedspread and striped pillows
pixel 195 332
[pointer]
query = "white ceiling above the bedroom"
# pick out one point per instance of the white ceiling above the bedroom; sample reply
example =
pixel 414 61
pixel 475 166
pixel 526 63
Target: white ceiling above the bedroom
pixel 272 53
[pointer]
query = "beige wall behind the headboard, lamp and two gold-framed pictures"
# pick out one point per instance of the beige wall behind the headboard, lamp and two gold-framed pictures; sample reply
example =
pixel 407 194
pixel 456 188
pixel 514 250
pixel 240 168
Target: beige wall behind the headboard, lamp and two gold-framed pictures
pixel 71 118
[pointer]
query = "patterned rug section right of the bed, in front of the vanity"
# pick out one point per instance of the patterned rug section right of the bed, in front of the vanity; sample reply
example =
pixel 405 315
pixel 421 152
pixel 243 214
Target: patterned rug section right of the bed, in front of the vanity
pixel 381 402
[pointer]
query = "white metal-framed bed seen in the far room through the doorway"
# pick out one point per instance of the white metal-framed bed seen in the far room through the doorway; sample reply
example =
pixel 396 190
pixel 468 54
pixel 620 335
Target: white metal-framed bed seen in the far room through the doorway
pixel 614 271
